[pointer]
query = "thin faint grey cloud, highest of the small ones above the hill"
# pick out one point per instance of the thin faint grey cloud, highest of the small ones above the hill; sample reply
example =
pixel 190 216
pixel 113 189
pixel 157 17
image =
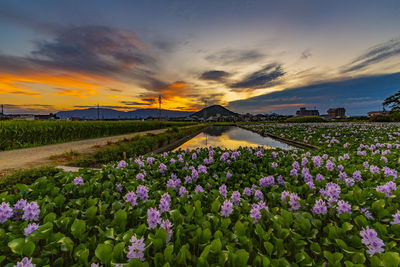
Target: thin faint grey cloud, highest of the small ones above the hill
pixel 230 56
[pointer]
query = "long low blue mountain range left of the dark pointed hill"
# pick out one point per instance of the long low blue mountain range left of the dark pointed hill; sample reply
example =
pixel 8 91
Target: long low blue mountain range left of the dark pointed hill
pixel 106 113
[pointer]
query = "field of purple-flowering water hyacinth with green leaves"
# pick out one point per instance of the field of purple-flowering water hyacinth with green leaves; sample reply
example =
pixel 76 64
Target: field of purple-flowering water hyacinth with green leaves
pixel 334 206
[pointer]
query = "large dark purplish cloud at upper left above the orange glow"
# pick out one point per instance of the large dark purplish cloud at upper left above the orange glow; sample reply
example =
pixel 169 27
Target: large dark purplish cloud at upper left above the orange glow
pixel 96 49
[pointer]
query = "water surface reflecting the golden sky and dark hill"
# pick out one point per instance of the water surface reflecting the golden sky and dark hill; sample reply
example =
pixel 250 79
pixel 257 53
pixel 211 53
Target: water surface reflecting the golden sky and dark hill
pixel 231 137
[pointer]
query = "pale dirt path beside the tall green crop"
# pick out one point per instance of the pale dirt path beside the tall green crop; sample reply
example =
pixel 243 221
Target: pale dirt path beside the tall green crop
pixel 39 156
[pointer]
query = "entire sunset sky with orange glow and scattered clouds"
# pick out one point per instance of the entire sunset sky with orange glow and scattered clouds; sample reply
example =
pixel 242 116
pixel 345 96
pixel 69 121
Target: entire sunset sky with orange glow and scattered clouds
pixel 250 56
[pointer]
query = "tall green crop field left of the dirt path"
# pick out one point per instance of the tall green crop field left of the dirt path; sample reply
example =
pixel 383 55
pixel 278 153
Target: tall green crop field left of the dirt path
pixel 21 134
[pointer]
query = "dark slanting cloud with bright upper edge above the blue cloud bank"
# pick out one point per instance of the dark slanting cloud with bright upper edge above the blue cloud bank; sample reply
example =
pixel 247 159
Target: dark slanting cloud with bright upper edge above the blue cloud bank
pixel 266 77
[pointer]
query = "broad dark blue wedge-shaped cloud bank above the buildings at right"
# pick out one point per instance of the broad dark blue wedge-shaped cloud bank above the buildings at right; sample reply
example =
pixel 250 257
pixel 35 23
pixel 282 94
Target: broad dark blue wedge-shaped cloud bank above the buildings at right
pixel 358 96
